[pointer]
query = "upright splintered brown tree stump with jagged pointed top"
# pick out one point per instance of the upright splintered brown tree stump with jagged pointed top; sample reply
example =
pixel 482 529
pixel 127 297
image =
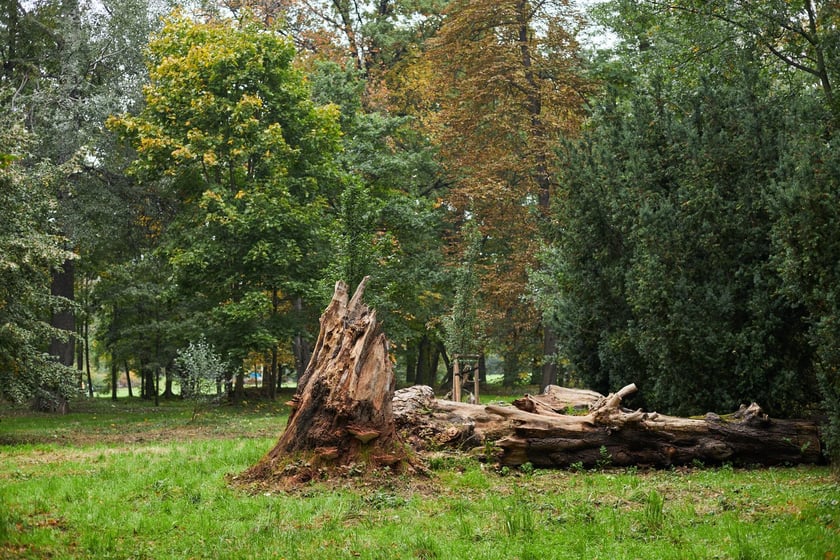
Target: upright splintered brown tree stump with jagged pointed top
pixel 341 420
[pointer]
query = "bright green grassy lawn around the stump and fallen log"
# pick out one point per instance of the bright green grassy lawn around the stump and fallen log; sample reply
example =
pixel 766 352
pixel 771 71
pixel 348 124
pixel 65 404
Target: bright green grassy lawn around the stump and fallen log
pixel 128 480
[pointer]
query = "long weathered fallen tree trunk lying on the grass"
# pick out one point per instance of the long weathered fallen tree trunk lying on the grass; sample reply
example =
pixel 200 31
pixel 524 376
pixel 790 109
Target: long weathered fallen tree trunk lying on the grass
pixel 533 431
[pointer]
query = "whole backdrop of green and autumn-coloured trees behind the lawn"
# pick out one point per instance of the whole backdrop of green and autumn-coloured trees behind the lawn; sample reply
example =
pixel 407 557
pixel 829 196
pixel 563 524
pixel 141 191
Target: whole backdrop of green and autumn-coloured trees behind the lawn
pixel 656 201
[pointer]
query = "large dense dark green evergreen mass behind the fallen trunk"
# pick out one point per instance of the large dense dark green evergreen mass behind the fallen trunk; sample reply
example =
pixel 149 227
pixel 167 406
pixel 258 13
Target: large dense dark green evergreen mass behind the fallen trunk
pixel 665 261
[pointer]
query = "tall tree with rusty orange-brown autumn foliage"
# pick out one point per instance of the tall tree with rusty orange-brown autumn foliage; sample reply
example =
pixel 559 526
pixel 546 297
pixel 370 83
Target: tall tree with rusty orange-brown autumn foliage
pixel 505 89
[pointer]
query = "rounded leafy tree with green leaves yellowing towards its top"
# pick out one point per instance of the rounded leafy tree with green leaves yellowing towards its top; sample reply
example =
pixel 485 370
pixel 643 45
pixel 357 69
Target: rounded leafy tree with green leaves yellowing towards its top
pixel 229 127
